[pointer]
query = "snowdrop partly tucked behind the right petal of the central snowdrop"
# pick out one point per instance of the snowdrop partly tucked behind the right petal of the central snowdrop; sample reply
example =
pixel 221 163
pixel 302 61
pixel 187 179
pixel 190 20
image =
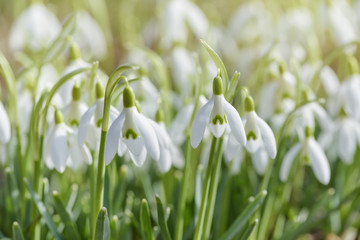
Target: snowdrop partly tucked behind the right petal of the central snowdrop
pixel 257 131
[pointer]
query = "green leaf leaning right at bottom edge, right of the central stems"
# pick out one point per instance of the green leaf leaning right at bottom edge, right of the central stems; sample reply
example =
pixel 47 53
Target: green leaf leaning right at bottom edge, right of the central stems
pixel 241 220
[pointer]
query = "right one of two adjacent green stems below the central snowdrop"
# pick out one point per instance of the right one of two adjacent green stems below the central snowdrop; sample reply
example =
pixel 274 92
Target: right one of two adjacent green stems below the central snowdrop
pixel 213 189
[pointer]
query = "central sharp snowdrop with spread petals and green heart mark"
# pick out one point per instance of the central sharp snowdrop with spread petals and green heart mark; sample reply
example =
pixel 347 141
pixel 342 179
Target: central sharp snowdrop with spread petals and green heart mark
pixel 217 113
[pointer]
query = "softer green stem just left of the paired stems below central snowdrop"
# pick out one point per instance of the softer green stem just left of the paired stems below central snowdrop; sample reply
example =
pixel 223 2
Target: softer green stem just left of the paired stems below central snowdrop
pixel 183 193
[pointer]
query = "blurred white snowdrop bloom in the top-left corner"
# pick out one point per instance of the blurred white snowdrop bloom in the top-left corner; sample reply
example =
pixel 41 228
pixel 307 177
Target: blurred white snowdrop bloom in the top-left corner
pixel 36 28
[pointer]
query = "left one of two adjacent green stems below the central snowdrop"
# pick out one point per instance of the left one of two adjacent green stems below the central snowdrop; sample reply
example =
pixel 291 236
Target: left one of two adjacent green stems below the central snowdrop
pixel 204 198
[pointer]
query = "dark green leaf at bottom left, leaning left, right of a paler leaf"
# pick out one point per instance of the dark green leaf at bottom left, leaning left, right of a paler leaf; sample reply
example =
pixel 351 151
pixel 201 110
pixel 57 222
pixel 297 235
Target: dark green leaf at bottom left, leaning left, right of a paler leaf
pixel 70 231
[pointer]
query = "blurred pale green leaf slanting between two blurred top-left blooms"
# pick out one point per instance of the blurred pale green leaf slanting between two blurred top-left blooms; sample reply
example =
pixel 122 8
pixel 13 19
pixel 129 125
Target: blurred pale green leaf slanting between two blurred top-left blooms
pixel 60 42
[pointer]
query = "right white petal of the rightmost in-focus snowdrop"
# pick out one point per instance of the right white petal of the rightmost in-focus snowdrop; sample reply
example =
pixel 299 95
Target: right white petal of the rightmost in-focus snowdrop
pixel 319 162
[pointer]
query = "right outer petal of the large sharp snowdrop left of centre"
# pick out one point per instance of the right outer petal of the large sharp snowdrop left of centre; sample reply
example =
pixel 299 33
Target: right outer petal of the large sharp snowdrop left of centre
pixel 148 135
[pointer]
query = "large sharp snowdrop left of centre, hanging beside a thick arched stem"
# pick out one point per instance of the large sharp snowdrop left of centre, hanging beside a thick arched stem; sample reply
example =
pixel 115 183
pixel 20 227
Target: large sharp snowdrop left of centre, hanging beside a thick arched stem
pixel 135 130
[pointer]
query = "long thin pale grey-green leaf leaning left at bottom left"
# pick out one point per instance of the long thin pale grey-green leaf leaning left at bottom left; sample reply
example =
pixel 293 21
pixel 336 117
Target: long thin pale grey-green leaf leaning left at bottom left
pixel 43 211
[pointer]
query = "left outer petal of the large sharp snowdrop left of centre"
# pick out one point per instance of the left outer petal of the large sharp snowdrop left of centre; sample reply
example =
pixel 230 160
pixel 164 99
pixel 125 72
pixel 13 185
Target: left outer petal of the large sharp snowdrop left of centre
pixel 112 138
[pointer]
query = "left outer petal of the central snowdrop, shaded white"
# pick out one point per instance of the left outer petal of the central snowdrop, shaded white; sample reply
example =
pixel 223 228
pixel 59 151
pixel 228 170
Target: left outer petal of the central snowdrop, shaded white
pixel 200 122
